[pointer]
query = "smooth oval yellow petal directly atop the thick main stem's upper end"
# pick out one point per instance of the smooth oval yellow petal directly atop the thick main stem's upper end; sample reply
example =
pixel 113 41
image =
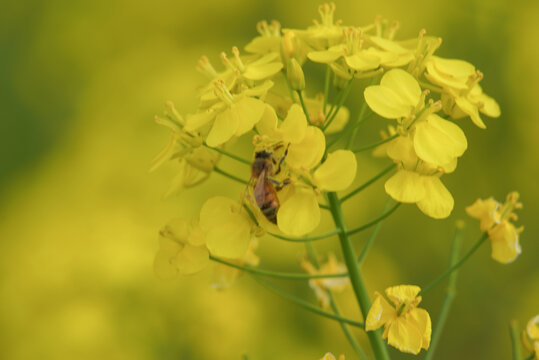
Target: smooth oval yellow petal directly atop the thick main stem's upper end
pixel 337 172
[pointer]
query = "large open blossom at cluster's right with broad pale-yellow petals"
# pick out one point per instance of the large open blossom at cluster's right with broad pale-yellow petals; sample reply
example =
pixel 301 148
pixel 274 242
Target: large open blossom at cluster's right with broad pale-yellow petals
pixel 427 146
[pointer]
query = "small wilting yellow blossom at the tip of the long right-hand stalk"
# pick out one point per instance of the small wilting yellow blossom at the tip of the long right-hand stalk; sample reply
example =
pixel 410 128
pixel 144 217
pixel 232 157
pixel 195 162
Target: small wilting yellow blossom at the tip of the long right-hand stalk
pixel 495 218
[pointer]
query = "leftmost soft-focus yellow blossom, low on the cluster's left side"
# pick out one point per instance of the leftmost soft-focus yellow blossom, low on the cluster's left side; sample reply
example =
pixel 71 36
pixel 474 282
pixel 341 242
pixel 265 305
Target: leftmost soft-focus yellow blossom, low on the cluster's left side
pixel 182 250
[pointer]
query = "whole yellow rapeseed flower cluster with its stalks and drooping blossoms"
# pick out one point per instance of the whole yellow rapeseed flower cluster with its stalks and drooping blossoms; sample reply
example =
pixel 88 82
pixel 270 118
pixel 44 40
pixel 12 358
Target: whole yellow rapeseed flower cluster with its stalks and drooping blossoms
pixel 299 163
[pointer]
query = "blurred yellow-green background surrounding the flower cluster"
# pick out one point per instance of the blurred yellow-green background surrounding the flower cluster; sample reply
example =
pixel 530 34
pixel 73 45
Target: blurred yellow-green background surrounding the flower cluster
pixel 79 213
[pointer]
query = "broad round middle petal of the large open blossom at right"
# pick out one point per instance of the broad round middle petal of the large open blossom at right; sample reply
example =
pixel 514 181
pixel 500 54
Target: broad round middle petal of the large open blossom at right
pixel 439 141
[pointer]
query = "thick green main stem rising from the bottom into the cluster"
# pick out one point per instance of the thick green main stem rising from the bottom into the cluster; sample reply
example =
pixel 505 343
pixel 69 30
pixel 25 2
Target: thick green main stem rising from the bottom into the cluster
pixel 375 337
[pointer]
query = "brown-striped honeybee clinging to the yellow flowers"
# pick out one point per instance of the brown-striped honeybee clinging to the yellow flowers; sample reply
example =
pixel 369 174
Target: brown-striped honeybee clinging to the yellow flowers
pixel 264 190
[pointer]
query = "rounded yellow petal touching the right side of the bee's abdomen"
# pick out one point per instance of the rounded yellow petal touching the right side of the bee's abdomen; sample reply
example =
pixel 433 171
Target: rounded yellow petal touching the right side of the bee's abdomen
pixel 300 214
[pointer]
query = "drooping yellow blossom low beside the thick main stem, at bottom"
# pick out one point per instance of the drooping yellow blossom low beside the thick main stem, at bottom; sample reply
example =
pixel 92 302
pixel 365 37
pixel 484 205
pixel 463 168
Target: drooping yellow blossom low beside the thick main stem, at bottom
pixel 406 327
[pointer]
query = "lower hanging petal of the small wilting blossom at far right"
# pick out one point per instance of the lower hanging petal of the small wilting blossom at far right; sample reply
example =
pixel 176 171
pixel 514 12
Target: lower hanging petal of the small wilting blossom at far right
pixel 504 241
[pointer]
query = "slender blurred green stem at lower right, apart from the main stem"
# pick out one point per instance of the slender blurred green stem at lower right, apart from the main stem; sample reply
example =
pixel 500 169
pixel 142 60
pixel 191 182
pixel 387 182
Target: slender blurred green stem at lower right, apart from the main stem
pixel 449 296
